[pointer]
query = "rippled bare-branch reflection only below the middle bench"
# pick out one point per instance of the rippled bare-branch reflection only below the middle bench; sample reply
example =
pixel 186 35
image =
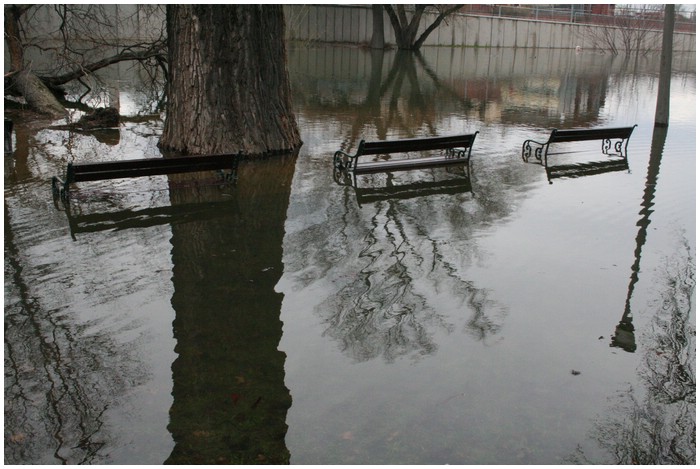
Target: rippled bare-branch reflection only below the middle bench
pixel 404 276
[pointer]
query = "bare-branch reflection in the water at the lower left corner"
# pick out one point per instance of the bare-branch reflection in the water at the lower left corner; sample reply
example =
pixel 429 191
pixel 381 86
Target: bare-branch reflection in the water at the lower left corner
pixel 60 378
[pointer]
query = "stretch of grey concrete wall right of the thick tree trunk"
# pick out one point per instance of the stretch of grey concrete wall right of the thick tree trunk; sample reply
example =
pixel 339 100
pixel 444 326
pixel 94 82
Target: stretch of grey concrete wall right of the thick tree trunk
pixel 353 24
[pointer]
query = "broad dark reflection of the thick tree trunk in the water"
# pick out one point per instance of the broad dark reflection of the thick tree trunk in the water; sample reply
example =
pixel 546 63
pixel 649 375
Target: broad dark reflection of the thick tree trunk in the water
pixel 230 400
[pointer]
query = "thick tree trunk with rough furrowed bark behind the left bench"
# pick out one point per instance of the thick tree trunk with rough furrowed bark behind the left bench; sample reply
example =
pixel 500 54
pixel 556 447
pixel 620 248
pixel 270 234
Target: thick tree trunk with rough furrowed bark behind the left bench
pixel 229 89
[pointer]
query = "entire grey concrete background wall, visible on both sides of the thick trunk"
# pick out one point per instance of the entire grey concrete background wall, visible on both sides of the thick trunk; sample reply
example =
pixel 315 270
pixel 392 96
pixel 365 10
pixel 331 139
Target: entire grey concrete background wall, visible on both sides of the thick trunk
pixel 353 25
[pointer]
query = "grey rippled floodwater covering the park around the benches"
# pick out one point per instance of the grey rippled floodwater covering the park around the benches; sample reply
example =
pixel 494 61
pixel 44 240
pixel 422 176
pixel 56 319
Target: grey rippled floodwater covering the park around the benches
pixel 499 315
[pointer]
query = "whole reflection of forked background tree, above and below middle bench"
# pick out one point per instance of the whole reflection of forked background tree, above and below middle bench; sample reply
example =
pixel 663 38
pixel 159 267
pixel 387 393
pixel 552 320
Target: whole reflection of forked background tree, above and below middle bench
pixel 408 256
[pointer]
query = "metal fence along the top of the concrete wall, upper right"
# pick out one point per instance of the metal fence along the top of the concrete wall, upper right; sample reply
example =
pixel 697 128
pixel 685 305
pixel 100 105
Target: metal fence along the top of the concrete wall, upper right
pixel 649 18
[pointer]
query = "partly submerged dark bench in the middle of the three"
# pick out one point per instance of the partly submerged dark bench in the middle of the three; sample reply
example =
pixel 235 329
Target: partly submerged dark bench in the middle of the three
pixel 457 150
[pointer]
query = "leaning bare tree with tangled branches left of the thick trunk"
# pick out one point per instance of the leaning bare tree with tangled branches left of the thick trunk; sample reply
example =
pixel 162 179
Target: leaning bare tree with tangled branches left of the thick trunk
pixel 73 42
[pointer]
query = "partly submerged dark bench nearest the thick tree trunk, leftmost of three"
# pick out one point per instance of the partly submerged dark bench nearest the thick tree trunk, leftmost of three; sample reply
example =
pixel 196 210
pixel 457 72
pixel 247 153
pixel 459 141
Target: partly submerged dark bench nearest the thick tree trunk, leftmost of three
pixel 80 172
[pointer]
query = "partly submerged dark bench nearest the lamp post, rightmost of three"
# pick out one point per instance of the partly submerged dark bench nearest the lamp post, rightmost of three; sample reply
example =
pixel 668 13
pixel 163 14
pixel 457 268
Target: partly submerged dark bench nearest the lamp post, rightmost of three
pixel 614 141
